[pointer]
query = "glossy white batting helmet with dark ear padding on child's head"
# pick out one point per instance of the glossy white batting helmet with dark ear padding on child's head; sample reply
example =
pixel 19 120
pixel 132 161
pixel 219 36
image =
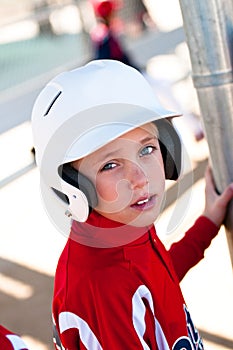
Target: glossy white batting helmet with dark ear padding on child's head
pixel 82 110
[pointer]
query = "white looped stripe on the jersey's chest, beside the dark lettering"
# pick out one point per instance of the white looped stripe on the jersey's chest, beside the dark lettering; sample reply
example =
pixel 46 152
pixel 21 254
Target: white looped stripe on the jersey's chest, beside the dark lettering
pixel 139 311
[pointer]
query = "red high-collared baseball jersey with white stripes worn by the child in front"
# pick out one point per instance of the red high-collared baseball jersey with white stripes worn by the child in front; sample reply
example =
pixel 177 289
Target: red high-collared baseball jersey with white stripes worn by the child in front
pixel 126 296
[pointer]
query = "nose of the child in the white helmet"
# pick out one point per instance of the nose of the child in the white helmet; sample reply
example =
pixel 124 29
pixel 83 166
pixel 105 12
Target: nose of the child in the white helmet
pixel 136 176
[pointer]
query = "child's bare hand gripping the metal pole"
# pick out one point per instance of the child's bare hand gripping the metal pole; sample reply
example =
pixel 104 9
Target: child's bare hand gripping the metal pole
pixel 216 204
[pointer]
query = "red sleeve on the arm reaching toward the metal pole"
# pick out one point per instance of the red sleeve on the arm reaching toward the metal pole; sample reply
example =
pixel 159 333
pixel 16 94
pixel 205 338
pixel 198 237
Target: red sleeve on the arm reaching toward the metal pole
pixel 187 252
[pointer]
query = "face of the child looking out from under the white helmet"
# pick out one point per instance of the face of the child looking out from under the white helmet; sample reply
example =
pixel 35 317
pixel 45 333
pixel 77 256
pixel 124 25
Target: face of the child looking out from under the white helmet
pixel 128 174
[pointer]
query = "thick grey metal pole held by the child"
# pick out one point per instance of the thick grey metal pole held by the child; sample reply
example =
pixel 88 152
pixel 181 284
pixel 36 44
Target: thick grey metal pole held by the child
pixel 208 25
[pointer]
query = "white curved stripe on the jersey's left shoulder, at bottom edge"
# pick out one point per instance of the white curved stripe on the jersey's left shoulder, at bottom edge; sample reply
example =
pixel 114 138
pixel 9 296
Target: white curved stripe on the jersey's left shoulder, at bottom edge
pixel 68 320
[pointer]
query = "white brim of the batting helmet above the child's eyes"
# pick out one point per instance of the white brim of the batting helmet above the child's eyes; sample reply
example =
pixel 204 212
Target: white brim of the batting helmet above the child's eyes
pixel 102 131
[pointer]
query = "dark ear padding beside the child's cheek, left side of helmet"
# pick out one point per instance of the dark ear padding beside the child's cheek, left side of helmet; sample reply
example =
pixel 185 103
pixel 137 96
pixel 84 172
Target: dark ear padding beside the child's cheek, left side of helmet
pixel 78 180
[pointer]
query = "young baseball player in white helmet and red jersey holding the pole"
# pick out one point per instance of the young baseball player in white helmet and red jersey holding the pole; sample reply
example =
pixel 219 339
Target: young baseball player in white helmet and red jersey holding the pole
pixel 105 147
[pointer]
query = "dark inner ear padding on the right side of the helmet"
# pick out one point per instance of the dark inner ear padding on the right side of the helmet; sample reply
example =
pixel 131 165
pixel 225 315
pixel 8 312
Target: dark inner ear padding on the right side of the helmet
pixel 170 146
